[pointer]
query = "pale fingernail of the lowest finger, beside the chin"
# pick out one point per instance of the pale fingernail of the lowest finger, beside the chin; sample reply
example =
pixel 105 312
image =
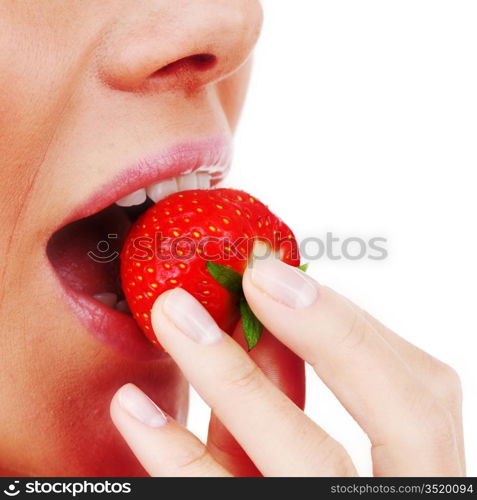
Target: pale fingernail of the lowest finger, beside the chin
pixel 139 406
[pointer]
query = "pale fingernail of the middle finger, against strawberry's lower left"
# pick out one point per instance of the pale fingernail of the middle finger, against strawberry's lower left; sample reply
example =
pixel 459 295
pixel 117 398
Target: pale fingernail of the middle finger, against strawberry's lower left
pixel 190 317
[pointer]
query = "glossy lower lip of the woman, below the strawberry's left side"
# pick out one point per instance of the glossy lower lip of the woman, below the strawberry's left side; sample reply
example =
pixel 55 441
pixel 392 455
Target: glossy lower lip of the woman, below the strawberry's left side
pixel 115 329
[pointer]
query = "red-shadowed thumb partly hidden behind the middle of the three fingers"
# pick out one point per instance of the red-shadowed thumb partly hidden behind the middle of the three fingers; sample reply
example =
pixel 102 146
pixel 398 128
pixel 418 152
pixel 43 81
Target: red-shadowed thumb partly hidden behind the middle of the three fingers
pixel 286 370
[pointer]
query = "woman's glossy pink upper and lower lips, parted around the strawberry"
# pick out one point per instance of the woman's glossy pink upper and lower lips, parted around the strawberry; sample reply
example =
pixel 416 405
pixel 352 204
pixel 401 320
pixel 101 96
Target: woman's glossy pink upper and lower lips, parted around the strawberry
pixel 118 330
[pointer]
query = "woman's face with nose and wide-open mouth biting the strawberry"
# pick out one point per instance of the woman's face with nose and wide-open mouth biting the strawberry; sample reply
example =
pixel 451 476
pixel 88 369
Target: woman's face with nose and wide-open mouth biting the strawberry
pixel 98 99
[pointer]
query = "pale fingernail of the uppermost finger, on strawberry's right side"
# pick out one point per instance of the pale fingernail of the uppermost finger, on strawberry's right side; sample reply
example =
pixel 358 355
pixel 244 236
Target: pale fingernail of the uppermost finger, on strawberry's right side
pixel 285 284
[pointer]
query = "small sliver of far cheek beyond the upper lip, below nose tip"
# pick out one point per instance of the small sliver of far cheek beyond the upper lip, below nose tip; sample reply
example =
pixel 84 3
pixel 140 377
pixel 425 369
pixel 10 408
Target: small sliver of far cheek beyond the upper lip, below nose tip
pixel 232 92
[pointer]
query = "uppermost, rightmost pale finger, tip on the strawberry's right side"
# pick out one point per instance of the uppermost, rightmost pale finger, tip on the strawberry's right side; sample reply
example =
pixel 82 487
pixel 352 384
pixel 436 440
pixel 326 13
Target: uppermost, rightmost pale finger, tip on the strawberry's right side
pixel 411 432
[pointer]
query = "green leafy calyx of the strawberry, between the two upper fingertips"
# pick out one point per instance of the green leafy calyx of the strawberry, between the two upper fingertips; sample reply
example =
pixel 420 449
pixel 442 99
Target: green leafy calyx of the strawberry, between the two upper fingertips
pixel 231 280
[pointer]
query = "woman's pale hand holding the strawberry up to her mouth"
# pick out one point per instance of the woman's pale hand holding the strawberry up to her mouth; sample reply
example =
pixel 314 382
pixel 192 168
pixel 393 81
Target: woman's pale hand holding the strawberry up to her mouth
pixel 407 402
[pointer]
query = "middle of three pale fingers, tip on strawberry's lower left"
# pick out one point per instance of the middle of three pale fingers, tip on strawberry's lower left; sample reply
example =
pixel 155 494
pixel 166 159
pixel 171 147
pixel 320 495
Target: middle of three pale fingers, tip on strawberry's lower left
pixel 279 438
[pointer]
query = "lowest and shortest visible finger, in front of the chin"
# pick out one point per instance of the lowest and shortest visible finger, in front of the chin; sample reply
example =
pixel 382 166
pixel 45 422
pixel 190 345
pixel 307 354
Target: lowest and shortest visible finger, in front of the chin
pixel 162 446
